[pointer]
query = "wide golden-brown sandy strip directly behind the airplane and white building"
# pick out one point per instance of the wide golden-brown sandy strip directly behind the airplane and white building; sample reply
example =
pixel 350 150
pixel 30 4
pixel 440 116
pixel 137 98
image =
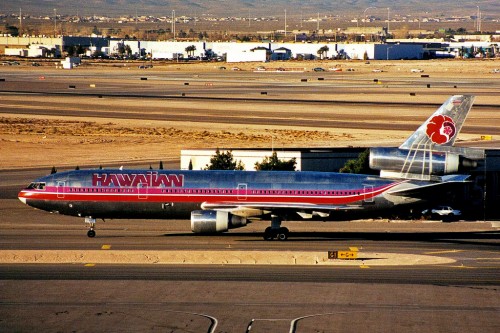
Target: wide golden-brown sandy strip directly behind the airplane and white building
pixel 50 141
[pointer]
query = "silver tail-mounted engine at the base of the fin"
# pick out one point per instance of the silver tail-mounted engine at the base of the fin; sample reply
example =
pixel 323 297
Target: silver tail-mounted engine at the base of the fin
pixel 418 161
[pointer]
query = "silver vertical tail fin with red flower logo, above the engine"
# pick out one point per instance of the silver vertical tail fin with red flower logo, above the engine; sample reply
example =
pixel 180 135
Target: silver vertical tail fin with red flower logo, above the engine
pixel 442 128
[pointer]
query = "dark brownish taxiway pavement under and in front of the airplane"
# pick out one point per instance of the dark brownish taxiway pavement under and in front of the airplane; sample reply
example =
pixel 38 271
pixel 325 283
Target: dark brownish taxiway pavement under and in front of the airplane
pixel 461 295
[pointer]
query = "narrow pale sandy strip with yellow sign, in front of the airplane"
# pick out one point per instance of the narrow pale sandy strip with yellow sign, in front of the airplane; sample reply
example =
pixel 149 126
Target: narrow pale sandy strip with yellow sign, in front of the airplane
pixel 228 257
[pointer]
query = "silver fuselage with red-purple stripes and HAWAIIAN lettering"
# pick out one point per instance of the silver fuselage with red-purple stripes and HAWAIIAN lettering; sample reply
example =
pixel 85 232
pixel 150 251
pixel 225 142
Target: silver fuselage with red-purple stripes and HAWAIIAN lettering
pixel 175 193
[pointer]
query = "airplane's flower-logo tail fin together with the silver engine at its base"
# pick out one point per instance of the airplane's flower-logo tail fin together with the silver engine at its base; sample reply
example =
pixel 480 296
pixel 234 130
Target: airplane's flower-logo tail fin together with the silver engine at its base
pixel 428 153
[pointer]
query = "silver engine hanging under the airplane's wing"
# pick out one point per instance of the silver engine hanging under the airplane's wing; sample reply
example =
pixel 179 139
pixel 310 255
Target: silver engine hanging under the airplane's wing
pixel 211 221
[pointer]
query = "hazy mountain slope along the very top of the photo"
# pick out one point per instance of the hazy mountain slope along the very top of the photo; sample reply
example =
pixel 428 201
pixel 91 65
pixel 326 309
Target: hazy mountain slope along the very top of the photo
pixel 252 8
